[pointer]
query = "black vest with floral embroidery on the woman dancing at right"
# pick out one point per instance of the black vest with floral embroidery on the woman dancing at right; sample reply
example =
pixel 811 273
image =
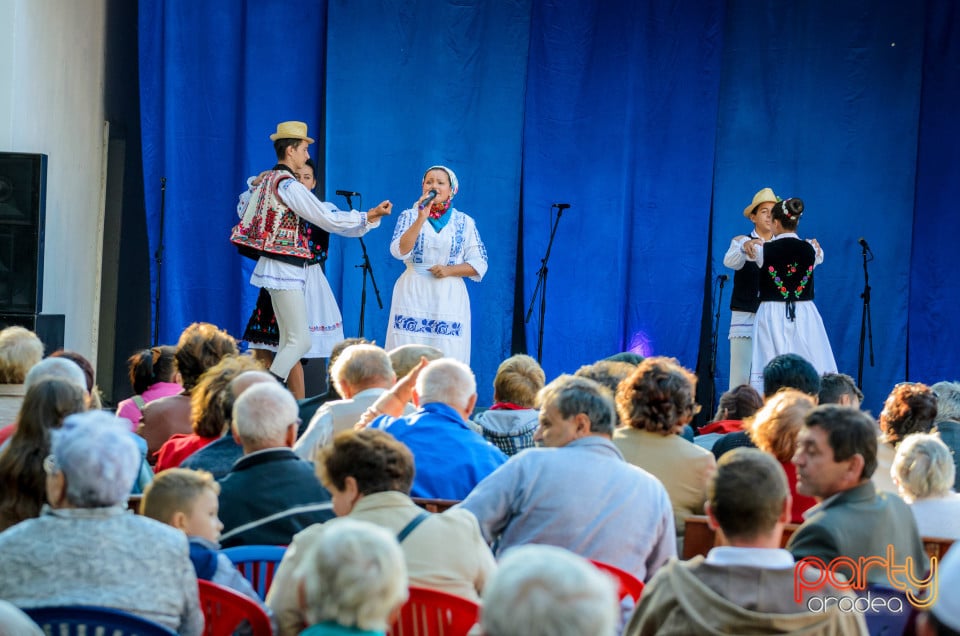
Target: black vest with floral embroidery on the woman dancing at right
pixel 787 271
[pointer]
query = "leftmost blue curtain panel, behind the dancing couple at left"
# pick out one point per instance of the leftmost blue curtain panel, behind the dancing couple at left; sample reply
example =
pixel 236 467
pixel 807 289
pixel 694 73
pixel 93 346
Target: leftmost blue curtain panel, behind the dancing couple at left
pixel 216 77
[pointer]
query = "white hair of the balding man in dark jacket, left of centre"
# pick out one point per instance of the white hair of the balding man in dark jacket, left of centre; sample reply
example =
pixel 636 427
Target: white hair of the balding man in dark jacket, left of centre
pixel 262 414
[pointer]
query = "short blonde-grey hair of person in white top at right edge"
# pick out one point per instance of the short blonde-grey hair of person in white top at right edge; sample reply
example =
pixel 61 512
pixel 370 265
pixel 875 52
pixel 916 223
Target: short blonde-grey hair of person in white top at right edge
pixel 923 467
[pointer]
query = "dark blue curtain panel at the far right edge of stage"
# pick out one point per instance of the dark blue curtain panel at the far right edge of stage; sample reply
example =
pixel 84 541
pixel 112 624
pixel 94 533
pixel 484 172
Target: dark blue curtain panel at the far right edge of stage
pixel 934 283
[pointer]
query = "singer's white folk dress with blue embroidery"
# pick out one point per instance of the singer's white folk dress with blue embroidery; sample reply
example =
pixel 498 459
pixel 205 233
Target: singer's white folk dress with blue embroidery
pixel 429 310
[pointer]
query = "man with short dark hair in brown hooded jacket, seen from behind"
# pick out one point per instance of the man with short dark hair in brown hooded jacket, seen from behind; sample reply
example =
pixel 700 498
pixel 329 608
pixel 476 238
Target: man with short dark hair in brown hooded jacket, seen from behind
pixel 747 584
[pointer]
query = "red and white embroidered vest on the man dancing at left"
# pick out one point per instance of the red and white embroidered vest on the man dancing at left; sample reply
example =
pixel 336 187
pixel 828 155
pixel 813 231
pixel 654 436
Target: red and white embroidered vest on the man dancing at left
pixel 269 228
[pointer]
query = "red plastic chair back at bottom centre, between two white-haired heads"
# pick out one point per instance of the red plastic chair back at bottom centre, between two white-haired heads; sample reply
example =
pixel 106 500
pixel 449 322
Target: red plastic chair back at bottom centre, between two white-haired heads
pixel 435 613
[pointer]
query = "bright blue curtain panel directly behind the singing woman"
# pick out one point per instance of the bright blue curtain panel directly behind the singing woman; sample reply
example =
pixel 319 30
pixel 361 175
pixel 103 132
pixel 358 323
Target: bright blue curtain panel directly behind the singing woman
pixel 417 83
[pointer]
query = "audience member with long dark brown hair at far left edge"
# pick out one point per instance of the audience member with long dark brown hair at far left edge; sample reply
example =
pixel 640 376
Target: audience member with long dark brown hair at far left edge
pixel 22 478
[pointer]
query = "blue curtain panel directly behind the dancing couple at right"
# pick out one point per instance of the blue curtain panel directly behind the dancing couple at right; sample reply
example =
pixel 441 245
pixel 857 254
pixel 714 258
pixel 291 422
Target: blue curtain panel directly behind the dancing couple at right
pixel 820 100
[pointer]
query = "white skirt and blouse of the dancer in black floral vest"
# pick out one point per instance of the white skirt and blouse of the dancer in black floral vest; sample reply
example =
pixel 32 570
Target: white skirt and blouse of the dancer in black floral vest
pixel 774 333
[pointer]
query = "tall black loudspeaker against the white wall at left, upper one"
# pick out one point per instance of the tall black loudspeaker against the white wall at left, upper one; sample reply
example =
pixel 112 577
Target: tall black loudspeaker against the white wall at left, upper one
pixel 23 183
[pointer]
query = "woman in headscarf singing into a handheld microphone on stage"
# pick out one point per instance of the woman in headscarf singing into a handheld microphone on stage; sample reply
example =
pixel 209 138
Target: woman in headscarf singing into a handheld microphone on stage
pixel 440 246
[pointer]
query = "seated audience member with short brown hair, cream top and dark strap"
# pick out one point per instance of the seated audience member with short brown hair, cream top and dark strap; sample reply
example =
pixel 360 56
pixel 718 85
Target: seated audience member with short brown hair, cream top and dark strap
pixel 369 475
